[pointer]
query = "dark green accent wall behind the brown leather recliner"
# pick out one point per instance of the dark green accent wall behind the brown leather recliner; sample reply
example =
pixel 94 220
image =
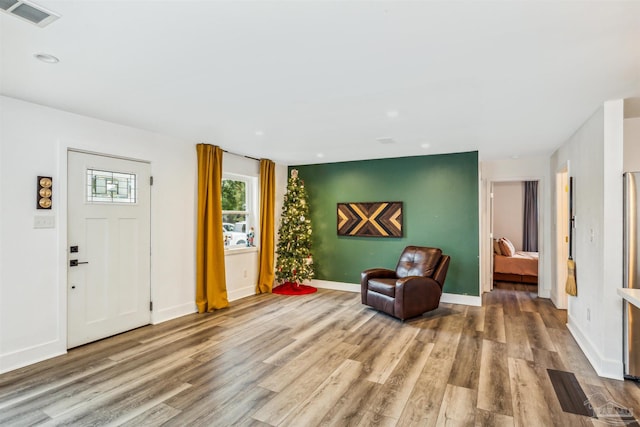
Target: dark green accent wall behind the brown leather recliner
pixel 440 209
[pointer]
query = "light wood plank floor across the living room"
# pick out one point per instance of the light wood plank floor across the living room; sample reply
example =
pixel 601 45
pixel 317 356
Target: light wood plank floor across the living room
pixel 321 359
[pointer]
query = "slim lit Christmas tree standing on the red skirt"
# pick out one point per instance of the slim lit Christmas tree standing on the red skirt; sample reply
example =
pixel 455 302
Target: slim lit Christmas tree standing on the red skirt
pixel 294 264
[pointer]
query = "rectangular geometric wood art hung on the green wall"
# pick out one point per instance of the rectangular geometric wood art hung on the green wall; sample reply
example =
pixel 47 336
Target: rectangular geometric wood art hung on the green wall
pixel 377 219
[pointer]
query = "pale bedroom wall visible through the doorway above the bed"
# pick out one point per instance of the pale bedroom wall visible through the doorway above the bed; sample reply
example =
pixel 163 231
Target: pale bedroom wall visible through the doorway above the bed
pixel 508 211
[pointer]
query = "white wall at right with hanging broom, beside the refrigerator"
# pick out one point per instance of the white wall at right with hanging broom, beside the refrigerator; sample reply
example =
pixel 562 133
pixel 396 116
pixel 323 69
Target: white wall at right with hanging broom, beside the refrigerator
pixel 595 315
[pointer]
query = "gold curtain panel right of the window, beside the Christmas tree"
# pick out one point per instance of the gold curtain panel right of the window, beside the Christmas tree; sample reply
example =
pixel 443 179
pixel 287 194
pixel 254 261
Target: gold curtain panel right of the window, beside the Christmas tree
pixel 266 270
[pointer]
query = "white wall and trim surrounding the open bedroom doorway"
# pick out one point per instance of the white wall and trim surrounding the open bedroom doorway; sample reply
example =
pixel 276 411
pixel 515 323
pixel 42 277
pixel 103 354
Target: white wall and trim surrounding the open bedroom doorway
pixel 523 169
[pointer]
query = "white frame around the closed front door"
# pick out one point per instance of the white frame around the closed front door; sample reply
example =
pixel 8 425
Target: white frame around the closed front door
pixel 61 201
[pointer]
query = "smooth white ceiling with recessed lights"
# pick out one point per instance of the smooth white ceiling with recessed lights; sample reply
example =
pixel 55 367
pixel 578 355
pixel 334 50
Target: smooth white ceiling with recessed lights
pixel 504 78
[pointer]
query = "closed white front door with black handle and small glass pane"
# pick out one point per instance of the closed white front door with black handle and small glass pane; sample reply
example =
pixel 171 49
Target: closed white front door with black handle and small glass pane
pixel 109 237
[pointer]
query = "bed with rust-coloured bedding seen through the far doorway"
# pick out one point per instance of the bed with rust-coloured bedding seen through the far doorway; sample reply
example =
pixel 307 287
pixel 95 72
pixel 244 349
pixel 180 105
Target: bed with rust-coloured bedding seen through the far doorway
pixel 510 265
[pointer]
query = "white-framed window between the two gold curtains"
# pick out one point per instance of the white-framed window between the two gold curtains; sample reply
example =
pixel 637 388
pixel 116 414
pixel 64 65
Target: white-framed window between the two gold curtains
pixel 238 207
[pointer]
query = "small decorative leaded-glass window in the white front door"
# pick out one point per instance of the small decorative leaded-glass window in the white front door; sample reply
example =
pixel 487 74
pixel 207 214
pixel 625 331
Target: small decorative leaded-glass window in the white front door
pixel 110 187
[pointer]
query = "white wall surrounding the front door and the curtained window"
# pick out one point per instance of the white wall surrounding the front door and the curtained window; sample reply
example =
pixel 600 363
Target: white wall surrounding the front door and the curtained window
pixel 34 141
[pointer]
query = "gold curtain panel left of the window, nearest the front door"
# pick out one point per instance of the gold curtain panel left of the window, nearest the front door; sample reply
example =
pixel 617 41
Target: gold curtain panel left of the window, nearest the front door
pixel 211 288
